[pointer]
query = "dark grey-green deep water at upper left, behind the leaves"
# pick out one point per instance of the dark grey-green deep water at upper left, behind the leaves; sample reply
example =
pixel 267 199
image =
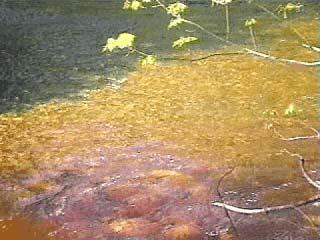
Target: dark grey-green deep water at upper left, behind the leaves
pixel 51 50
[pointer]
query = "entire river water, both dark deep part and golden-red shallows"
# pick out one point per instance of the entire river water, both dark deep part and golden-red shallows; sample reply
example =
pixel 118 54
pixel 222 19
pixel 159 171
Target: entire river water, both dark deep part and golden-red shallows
pixel 143 159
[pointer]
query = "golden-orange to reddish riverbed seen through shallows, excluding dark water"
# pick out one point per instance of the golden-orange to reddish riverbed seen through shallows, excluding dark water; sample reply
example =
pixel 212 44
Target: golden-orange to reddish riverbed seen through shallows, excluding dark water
pixel 144 161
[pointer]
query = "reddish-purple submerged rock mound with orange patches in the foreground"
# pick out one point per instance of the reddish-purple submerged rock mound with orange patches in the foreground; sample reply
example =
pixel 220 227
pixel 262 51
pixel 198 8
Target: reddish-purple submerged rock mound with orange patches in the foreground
pixel 135 191
